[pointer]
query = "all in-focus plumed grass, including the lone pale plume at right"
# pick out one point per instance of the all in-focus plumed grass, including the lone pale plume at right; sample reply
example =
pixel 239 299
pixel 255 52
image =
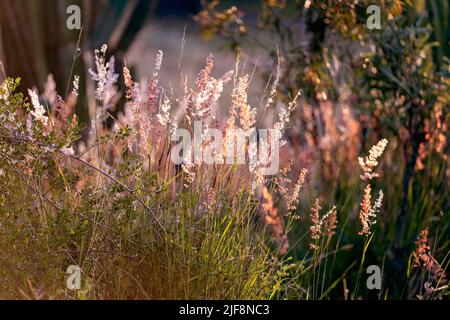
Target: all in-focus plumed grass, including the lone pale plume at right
pixel 141 227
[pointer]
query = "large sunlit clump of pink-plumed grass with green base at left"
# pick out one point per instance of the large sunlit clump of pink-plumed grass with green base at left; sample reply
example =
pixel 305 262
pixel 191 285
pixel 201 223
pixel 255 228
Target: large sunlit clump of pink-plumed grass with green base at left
pixel 138 226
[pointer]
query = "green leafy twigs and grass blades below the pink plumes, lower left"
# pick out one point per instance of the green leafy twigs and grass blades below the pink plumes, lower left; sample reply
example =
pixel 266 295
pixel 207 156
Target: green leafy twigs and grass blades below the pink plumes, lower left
pixel 53 215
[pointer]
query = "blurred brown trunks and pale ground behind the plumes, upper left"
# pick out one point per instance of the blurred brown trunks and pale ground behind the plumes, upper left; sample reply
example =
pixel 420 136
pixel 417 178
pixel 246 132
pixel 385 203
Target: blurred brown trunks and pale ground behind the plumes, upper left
pixel 35 41
